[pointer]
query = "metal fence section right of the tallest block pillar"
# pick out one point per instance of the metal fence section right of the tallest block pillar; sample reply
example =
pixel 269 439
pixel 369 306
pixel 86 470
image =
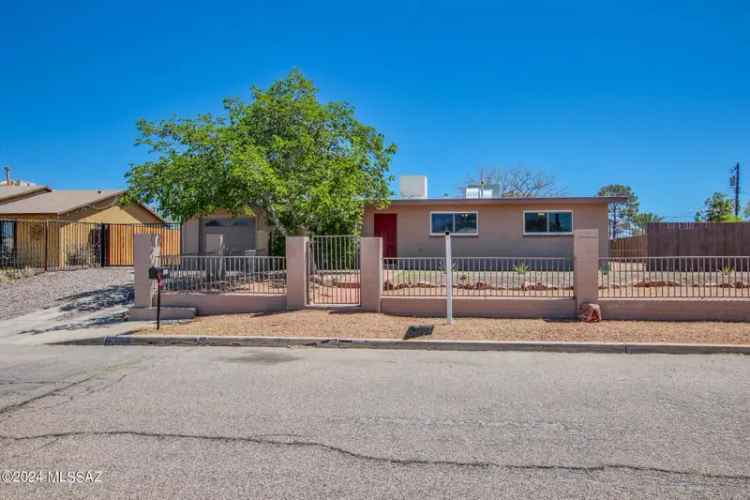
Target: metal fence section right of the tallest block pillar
pixel 676 277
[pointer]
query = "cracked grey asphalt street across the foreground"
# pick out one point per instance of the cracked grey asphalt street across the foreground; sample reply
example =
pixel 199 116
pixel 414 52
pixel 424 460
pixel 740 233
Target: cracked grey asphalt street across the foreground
pixel 209 422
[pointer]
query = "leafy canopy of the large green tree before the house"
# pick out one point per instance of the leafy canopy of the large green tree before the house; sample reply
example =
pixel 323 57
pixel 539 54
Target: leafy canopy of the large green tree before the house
pixel 309 166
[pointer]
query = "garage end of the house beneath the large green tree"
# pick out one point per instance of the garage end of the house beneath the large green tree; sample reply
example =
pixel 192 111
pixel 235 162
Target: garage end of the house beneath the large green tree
pixel 243 235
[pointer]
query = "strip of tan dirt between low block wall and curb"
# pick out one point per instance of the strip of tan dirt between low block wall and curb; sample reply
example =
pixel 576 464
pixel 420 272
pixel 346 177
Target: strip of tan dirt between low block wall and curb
pixel 351 324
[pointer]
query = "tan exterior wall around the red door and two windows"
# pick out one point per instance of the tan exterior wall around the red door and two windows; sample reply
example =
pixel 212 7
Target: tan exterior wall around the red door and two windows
pixel 500 229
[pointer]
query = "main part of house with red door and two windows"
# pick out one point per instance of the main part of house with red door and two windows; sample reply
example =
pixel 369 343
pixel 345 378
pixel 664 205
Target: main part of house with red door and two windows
pixel 495 227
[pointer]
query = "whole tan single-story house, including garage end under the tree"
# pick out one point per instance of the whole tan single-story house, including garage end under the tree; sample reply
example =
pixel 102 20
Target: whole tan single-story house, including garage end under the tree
pixel 498 227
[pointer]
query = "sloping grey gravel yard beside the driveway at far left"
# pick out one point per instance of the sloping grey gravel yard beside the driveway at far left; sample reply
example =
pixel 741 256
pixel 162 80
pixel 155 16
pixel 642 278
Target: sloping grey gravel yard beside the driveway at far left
pixel 84 289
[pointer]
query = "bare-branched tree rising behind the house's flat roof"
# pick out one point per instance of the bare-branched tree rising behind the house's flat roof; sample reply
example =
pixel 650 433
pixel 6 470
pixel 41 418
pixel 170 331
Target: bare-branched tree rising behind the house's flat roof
pixel 513 183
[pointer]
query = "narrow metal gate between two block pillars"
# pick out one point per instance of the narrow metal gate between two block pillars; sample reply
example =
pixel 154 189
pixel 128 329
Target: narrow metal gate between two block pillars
pixel 333 270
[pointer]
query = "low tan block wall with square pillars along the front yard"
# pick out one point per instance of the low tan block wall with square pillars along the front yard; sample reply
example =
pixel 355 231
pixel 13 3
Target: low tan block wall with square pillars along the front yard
pixel 586 290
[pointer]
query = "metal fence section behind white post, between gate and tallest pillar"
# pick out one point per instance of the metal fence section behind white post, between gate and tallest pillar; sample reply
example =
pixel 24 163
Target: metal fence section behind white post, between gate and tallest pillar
pixel 480 276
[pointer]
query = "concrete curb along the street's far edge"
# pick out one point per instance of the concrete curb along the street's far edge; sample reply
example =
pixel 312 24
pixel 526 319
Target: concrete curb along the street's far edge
pixel 429 345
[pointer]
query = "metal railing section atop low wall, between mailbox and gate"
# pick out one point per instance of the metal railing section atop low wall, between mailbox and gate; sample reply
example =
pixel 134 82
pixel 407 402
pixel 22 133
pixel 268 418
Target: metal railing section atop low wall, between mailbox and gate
pixel 257 275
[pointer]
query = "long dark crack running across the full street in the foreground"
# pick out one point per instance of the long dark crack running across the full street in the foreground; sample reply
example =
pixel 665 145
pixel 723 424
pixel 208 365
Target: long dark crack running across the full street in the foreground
pixel 296 443
